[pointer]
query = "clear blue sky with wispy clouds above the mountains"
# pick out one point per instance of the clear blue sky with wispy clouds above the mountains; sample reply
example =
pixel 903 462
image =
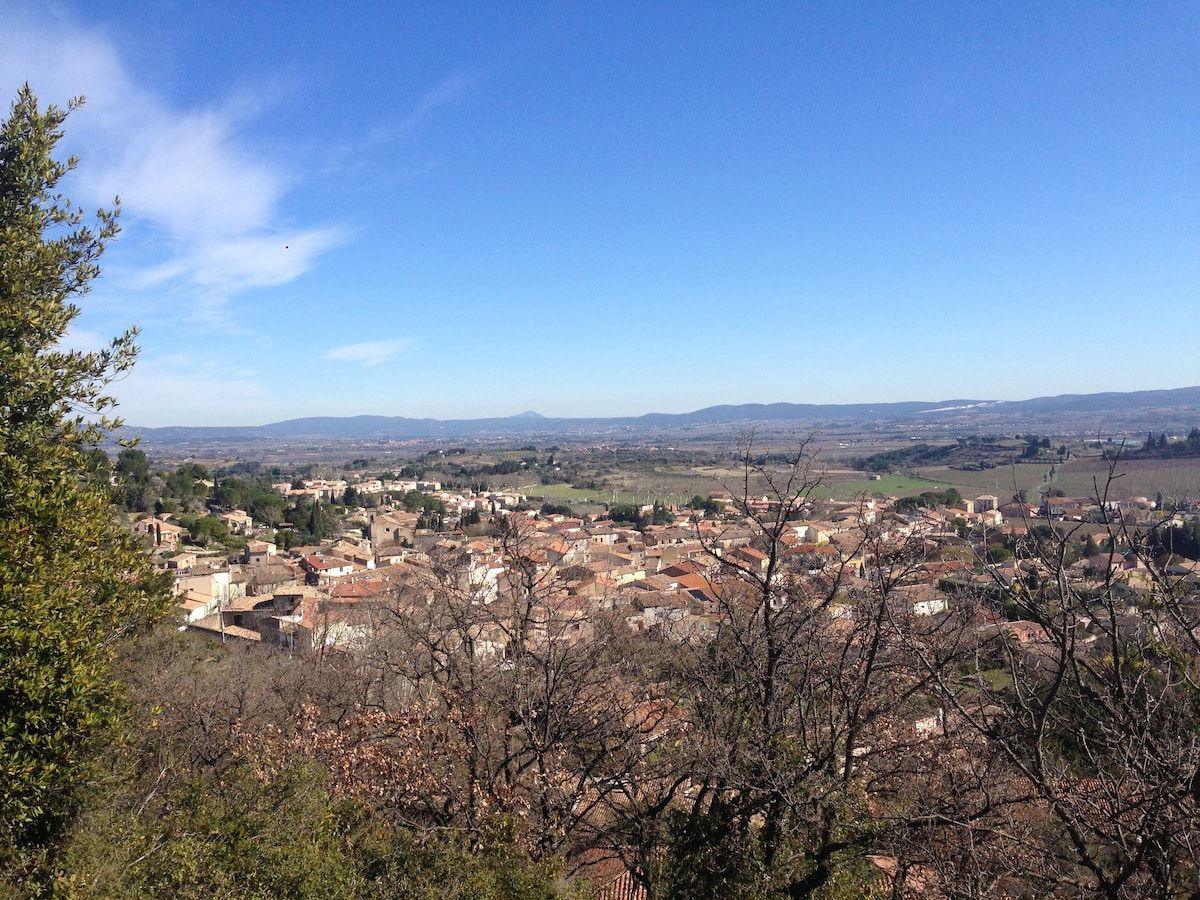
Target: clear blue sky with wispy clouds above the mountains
pixel 463 211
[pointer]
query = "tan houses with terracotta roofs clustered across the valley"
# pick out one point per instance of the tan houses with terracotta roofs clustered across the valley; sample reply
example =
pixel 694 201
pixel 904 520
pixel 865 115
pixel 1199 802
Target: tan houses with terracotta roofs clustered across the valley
pixel 659 580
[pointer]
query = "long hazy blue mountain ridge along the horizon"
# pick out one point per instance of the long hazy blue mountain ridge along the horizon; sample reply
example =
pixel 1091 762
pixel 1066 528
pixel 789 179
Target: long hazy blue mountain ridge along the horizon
pixel 1130 407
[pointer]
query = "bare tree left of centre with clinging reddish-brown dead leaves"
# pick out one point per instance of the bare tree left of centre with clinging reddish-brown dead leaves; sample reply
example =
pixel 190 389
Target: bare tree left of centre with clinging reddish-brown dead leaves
pixel 496 695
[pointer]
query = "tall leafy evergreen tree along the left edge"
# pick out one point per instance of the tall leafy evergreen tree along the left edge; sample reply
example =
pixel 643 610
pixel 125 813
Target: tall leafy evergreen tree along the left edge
pixel 71 581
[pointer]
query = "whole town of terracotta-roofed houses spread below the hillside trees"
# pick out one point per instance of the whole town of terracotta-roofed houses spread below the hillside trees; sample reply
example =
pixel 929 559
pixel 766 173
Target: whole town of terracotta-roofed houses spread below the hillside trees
pixel 320 597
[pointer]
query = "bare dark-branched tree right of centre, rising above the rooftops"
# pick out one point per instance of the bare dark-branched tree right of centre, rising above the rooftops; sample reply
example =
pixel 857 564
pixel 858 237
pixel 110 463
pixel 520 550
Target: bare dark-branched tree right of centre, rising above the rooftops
pixel 794 704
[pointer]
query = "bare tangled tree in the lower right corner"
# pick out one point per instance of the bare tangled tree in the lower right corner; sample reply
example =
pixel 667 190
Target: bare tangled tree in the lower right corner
pixel 1078 729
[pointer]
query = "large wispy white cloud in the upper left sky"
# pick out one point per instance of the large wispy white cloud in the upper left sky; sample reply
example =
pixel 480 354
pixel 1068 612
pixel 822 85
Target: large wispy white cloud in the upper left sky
pixel 196 197
